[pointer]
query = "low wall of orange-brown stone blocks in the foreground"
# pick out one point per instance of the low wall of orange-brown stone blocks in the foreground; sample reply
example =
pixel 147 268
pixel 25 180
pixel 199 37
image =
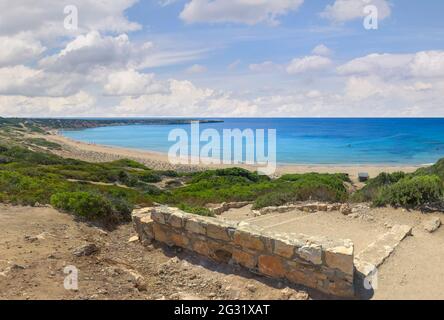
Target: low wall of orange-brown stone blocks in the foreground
pixel 314 262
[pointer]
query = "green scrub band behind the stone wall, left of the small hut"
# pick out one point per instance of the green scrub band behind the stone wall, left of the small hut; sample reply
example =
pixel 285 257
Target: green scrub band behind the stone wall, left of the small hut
pixel 109 191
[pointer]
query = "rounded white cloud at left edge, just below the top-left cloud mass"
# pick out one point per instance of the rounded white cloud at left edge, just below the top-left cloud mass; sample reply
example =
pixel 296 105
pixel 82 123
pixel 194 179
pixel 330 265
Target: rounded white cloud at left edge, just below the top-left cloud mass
pixel 19 49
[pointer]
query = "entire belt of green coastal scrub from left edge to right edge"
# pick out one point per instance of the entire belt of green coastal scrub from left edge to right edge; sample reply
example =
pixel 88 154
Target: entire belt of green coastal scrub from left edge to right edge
pixel 31 174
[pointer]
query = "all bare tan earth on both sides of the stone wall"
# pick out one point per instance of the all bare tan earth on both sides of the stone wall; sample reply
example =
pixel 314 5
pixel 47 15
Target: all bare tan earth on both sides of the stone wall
pixel 38 243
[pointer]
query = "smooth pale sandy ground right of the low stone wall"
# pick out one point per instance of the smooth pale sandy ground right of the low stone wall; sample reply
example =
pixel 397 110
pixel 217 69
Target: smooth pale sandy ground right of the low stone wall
pixel 414 271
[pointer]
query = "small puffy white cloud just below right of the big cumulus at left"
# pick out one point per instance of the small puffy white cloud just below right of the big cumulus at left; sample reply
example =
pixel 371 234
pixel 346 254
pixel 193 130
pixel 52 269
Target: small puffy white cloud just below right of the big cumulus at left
pixel 132 83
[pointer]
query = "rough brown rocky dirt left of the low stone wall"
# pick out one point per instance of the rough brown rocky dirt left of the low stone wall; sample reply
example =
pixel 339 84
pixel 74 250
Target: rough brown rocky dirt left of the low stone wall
pixel 36 244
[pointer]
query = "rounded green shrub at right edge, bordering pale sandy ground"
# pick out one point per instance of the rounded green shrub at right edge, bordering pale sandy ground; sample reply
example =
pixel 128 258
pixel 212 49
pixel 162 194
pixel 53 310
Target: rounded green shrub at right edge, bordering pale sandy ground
pixel 411 192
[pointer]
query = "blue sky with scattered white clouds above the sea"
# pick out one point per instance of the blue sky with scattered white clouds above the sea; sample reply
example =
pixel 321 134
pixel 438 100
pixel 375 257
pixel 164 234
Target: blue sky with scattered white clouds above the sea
pixel 221 58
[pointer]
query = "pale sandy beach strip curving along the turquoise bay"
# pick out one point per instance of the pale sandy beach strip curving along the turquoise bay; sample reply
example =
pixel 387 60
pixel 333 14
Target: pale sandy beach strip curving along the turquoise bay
pixel 159 161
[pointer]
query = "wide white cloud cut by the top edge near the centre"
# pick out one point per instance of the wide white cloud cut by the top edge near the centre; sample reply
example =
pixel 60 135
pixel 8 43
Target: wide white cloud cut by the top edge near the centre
pixel 237 11
